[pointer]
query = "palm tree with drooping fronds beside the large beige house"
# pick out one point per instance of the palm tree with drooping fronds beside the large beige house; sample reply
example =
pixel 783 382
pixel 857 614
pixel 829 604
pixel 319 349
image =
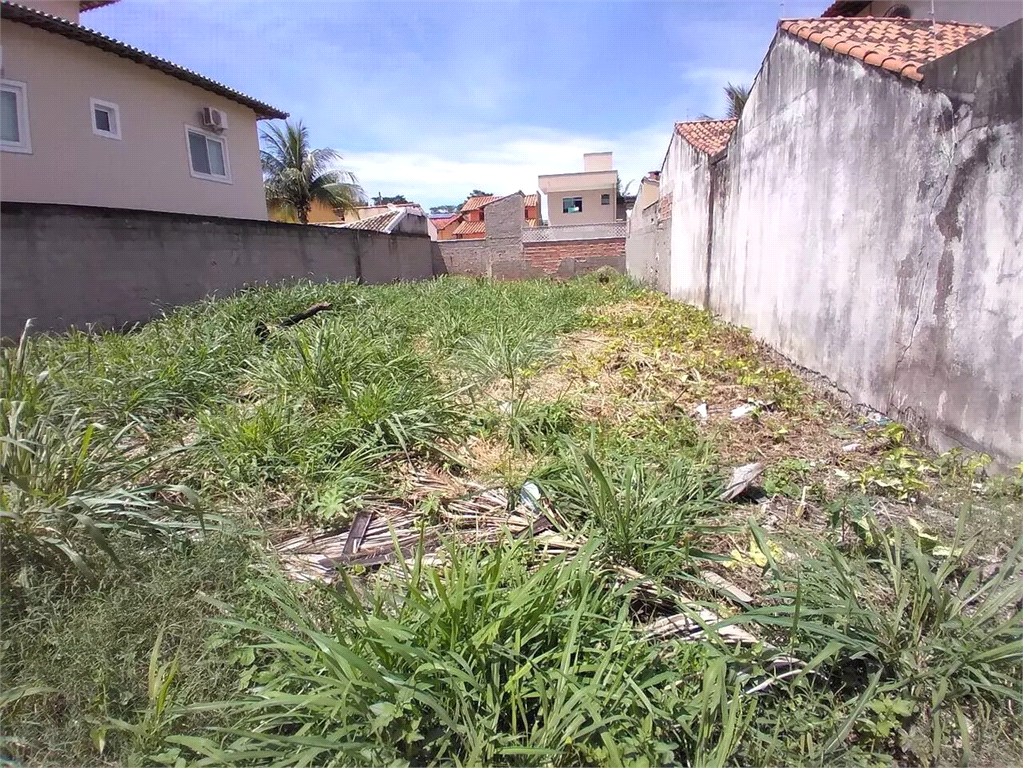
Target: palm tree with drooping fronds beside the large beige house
pixel 296 176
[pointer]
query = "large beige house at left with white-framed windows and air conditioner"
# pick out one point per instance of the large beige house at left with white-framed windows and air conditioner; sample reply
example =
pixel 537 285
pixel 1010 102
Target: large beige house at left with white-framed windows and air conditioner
pixel 91 121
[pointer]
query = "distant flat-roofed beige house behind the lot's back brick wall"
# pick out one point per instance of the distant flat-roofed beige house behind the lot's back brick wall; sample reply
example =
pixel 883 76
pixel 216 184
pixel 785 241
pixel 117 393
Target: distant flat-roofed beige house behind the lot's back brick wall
pixel 588 198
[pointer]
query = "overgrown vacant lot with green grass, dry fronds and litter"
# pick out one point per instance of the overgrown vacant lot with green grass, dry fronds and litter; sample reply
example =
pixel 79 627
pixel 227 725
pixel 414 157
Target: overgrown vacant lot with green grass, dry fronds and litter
pixel 469 523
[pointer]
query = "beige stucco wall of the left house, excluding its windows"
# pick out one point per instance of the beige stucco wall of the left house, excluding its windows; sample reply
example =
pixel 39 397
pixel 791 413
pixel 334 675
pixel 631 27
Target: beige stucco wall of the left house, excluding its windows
pixel 148 168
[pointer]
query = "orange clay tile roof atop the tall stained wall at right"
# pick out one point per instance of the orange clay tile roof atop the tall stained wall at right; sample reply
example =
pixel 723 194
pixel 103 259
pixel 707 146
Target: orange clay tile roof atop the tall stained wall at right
pixel 900 46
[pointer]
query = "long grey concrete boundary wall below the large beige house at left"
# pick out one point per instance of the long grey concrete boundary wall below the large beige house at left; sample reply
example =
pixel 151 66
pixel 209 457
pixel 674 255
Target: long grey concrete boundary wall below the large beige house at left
pixel 73 265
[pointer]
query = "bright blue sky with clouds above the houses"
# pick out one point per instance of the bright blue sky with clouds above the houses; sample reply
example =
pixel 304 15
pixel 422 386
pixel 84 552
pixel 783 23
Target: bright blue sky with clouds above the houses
pixel 433 100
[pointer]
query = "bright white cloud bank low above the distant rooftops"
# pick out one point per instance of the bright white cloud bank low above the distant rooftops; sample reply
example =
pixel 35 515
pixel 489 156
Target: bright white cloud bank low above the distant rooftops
pixel 502 161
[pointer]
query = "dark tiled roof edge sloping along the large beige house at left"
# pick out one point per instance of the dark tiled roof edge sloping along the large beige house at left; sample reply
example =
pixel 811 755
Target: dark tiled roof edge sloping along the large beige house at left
pixel 58 26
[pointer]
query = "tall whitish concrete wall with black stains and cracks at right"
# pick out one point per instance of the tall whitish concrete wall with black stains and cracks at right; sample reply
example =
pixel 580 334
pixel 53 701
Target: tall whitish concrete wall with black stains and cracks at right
pixel 870 230
